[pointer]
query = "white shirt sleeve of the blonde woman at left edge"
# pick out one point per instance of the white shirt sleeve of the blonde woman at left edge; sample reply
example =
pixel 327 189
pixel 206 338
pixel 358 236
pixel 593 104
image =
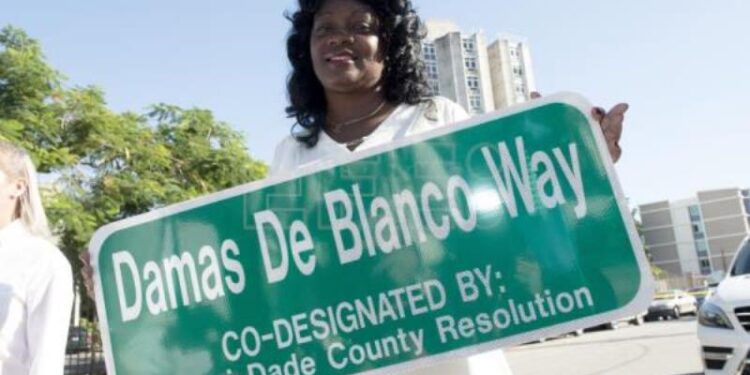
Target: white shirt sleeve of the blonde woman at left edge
pixel 48 318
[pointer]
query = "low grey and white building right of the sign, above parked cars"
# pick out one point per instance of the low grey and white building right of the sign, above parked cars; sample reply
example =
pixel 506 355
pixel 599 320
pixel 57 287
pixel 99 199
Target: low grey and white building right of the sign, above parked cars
pixel 698 235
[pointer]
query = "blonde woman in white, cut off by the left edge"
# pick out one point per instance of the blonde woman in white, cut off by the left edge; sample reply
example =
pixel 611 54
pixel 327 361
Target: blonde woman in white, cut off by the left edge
pixel 36 283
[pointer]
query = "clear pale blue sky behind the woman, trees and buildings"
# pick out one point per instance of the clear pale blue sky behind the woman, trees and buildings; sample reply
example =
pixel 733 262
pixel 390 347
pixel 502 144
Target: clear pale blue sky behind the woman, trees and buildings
pixel 682 65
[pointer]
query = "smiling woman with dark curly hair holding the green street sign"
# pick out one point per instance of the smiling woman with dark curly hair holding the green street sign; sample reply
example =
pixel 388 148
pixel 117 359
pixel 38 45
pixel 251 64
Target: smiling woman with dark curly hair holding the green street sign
pixel 358 82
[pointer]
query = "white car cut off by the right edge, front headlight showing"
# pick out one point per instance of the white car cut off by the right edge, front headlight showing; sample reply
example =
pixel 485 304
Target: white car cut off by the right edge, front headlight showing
pixel 724 320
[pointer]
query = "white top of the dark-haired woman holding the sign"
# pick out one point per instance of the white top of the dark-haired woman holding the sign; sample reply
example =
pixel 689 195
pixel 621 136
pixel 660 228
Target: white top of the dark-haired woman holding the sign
pixel 405 120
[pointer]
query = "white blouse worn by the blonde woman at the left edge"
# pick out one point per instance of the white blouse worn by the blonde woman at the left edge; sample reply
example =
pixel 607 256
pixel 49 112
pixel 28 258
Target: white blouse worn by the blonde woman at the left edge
pixel 36 297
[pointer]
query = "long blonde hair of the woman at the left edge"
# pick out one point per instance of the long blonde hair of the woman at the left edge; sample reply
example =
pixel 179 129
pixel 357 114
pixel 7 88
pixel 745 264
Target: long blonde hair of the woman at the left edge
pixel 16 163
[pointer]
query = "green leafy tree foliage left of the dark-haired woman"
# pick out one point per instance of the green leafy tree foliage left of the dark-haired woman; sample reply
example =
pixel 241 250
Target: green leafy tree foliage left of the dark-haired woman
pixel 105 166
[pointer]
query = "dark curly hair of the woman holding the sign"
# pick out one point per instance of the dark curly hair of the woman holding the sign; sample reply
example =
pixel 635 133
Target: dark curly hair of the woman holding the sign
pixel 404 81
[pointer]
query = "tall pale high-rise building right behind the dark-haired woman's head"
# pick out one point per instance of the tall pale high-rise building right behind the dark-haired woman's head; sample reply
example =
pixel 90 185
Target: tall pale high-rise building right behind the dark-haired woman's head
pixel 478 76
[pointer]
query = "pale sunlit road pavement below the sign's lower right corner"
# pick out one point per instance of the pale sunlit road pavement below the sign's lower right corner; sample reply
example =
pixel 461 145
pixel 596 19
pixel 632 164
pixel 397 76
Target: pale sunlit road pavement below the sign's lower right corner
pixel 663 347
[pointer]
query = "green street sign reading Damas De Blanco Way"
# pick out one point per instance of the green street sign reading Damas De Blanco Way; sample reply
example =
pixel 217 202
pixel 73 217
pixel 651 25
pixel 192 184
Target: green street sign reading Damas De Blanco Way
pixel 496 231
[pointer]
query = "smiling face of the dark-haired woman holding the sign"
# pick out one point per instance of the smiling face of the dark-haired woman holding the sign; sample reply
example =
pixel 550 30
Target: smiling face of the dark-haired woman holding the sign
pixel 345 47
